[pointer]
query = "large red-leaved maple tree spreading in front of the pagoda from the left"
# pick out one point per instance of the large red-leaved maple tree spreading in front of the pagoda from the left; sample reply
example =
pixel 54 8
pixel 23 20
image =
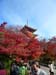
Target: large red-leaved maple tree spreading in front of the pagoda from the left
pixel 18 44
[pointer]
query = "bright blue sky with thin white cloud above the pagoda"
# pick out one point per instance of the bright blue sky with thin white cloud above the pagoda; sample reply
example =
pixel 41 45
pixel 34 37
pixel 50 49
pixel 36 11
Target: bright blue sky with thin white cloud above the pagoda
pixel 40 14
